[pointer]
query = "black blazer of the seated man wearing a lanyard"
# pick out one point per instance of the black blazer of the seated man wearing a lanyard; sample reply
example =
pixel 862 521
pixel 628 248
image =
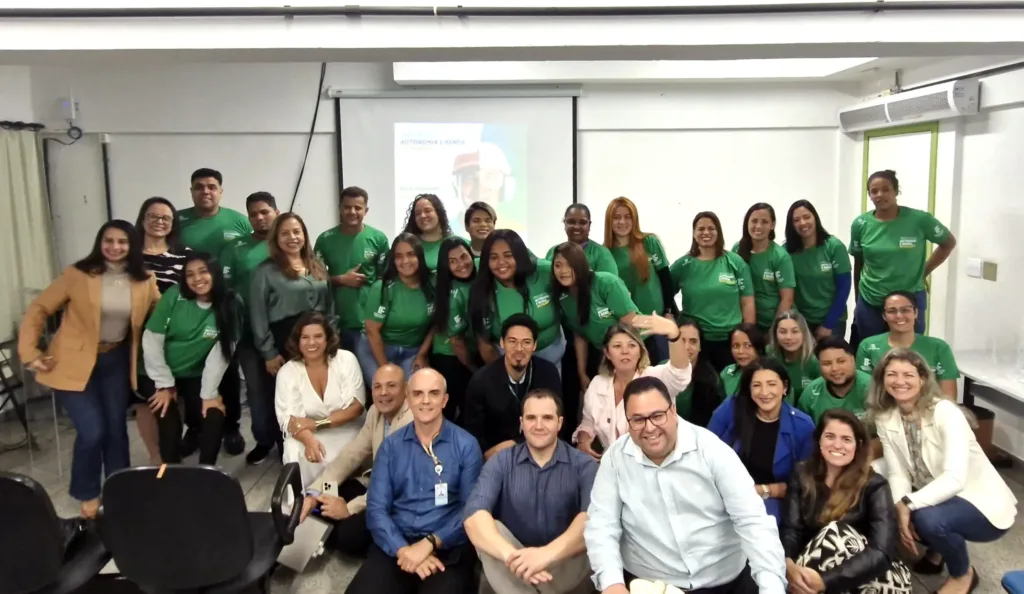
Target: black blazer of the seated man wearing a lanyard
pixel 492 413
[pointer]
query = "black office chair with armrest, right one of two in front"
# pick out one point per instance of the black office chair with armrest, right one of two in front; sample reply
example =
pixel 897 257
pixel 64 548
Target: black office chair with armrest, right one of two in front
pixel 189 531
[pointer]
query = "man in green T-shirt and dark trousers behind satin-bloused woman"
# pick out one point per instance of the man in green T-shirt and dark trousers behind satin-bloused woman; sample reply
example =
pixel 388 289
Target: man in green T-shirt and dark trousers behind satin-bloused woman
pixel 240 261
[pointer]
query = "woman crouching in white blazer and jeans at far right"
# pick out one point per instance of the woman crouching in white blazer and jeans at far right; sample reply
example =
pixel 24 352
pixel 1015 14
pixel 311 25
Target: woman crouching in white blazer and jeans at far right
pixel 948 492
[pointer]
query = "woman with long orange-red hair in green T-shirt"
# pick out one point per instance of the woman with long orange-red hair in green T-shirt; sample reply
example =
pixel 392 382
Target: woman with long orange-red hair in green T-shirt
pixel 643 266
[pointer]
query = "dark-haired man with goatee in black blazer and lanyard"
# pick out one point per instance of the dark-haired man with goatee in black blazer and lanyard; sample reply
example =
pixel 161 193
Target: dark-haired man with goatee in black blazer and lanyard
pixel 494 398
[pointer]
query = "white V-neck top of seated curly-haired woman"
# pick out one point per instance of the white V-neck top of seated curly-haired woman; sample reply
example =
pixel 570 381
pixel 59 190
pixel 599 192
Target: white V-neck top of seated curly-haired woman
pixel 296 397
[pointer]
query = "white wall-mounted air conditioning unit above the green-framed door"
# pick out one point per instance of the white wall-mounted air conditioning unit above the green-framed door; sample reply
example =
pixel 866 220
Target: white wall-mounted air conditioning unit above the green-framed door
pixel 925 105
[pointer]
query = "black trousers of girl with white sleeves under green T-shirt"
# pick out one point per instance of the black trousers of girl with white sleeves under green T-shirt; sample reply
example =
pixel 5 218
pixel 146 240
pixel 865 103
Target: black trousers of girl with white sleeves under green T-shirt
pixel 211 428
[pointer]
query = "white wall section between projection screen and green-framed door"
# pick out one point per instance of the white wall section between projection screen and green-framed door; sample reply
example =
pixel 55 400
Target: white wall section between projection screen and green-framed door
pixel 679 150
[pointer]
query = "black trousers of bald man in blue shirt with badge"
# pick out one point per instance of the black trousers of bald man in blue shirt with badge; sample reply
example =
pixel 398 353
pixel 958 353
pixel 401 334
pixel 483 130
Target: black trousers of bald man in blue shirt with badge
pixel 381 574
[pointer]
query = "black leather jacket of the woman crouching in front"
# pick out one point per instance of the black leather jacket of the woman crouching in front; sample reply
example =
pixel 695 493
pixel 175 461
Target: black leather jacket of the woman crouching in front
pixel 874 517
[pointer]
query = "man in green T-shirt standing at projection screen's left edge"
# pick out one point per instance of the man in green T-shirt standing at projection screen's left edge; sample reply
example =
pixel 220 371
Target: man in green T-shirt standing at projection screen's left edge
pixel 355 254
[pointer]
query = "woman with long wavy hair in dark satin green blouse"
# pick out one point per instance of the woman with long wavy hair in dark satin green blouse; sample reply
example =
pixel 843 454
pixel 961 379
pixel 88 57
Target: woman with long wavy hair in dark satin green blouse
pixel 289 284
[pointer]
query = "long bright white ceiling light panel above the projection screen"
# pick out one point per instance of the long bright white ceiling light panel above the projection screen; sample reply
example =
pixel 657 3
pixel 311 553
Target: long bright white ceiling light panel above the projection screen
pixel 626 71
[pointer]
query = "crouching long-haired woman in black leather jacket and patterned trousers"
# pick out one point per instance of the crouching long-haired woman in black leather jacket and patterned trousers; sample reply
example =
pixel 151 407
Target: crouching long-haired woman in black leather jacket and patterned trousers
pixel 839 529
